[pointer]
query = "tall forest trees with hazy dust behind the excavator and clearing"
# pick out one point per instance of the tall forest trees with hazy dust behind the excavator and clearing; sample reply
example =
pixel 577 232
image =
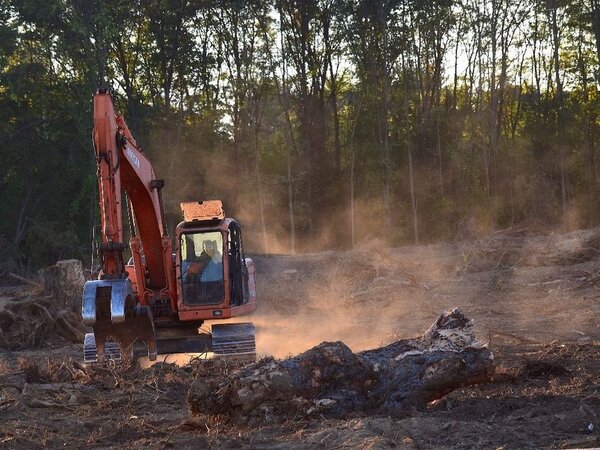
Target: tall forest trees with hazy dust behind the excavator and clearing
pixel 320 123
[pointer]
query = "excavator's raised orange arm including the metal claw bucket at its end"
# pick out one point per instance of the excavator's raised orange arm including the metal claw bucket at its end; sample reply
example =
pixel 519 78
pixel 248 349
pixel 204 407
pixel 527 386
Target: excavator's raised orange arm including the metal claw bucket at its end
pixel 123 168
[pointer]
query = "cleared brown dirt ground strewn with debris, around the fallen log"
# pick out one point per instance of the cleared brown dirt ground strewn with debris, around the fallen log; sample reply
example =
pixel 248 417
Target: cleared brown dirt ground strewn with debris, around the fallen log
pixel 534 298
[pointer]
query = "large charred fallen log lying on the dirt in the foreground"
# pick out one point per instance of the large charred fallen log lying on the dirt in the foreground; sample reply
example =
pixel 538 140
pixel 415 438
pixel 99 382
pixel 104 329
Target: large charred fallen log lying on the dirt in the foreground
pixel 331 380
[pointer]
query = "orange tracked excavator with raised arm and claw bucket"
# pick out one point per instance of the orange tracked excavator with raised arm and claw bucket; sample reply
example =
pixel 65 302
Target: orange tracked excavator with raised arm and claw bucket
pixel 157 301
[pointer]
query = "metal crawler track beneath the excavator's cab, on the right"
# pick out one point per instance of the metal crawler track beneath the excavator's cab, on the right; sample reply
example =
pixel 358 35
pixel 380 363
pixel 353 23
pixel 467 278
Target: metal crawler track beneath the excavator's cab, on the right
pixel 234 339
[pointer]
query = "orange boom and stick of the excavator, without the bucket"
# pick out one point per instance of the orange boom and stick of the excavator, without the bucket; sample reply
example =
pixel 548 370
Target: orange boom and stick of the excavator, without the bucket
pixel 123 167
